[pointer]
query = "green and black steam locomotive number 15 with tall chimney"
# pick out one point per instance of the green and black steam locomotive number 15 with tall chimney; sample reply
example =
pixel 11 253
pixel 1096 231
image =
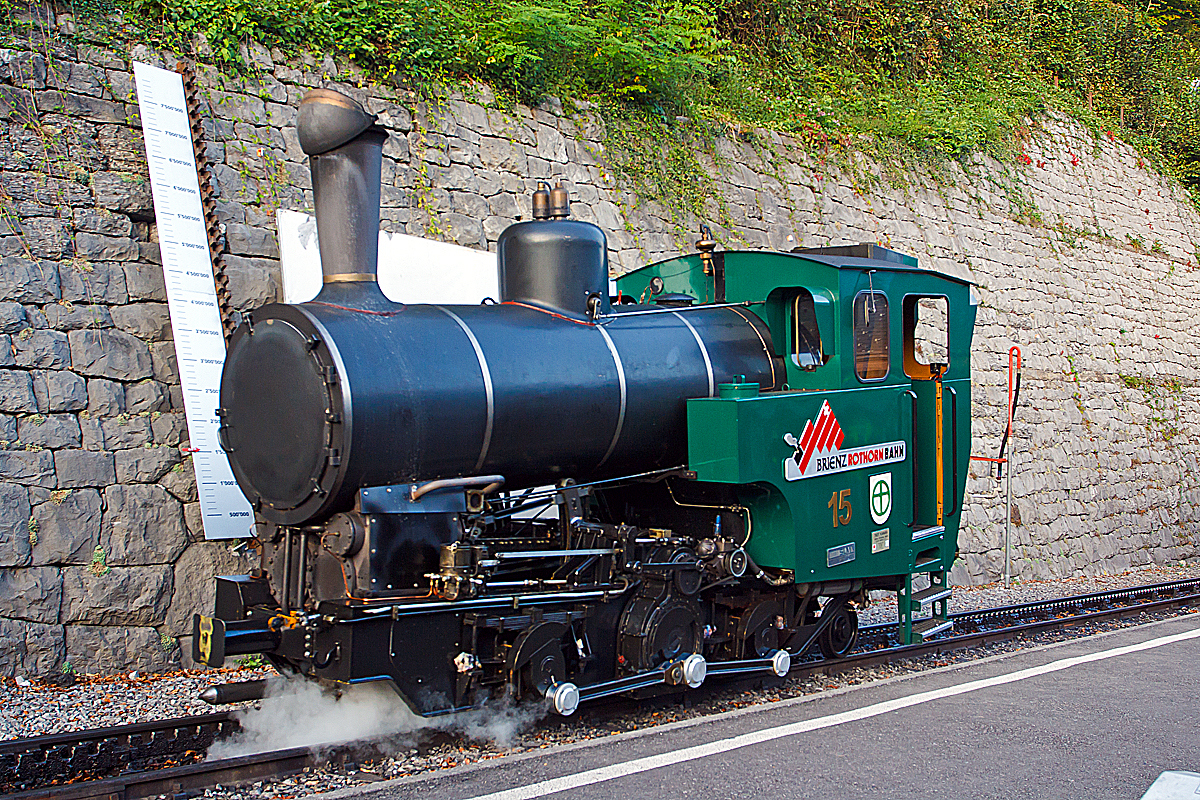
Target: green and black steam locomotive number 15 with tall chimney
pixel 568 495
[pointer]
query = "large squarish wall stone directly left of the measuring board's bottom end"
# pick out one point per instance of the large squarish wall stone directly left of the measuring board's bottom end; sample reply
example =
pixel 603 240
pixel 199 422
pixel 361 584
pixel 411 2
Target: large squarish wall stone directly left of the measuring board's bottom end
pixel 143 525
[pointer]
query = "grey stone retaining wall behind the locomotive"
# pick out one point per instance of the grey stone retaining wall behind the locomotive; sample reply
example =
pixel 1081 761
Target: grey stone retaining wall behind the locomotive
pixel 1084 256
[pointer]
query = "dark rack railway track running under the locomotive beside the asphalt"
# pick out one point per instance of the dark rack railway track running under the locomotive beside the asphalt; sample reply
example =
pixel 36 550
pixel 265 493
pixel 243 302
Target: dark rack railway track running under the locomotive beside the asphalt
pixel 166 759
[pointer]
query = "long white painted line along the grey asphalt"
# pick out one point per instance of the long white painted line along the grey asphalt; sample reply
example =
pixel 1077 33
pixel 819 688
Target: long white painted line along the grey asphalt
pixel 613 772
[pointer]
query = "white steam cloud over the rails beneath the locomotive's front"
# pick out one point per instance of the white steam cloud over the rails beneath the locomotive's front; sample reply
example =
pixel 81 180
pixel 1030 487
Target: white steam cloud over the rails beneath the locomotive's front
pixel 302 714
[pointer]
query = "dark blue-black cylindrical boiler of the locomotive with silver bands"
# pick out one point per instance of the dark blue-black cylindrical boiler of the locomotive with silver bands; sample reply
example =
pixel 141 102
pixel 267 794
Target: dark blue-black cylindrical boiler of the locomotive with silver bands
pixel 321 400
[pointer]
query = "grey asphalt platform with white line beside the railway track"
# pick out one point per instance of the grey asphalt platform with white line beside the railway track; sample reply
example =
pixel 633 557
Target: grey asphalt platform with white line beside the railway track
pixel 1091 719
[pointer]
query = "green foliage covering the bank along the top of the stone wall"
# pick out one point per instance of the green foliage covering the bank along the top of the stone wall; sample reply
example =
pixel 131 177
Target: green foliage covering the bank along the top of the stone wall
pixel 941 77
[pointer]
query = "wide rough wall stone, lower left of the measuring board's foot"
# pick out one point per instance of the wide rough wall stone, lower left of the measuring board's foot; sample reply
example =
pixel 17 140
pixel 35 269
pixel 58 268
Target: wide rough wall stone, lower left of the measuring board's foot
pixel 124 596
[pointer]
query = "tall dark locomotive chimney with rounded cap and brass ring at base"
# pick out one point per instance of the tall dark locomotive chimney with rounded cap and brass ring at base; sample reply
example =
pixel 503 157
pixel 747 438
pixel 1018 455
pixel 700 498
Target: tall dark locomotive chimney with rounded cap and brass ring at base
pixel 345 151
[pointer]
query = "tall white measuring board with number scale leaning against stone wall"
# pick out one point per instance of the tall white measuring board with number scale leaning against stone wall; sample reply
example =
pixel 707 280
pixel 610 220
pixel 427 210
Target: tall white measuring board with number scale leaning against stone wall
pixel 191 293
